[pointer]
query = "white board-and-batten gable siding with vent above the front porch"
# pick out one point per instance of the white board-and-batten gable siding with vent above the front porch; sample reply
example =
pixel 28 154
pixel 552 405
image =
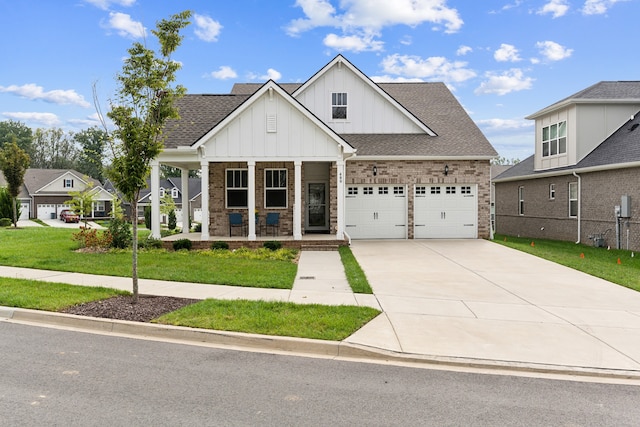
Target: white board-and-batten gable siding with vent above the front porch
pixel 294 135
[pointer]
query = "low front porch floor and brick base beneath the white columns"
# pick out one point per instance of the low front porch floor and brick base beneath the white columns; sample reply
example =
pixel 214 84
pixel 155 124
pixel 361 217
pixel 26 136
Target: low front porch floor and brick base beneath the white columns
pixel 316 242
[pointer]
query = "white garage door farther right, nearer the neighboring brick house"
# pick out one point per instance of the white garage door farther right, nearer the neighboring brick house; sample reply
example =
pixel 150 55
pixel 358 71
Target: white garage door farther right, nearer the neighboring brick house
pixel 445 212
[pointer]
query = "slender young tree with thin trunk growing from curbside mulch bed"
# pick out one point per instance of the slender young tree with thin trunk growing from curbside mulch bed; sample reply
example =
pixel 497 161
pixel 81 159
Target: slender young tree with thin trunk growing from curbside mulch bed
pixel 143 104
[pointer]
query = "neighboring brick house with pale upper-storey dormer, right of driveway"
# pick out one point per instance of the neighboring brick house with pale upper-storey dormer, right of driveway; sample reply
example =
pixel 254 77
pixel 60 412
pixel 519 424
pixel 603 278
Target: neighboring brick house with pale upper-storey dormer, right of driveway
pixel 580 183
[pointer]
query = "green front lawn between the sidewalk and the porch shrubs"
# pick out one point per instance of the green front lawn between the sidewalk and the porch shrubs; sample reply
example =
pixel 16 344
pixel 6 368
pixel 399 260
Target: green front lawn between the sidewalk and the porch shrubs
pixel 52 248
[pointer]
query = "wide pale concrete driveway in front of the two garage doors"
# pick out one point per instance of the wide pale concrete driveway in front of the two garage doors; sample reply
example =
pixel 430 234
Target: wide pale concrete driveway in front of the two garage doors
pixel 477 300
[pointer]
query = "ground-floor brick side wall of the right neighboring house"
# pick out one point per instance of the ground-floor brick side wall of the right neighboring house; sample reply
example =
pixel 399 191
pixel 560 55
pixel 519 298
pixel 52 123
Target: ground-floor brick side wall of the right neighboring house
pixel 549 218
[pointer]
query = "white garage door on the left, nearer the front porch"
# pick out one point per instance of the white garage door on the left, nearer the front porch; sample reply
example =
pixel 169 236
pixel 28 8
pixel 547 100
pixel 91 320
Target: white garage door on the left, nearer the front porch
pixel 376 212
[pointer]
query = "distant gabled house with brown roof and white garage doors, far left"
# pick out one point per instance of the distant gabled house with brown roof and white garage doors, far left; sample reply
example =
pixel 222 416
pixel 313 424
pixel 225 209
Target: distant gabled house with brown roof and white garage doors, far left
pixel 45 193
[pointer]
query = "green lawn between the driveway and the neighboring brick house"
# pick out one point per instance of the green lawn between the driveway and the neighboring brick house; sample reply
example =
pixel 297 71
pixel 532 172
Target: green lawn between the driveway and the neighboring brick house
pixel 598 262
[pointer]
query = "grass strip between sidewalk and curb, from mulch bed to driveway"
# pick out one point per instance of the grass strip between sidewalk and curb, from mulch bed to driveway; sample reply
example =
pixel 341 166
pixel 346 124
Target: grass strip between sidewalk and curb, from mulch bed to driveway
pixel 273 318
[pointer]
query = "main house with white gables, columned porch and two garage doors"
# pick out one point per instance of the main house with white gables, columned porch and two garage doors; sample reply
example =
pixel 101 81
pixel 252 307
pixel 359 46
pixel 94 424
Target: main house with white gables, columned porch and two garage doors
pixel 338 154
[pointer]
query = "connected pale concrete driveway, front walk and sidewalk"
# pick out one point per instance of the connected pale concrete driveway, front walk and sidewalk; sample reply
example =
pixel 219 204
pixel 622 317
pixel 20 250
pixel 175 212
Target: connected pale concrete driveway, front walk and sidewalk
pixel 468 302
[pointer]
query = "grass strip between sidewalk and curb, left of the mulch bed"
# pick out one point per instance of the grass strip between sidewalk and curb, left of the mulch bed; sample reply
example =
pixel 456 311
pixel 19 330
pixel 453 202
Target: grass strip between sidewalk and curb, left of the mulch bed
pixel 47 296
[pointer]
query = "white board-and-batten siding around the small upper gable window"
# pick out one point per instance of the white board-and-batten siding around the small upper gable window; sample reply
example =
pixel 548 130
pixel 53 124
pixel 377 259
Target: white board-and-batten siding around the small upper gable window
pixel 367 110
